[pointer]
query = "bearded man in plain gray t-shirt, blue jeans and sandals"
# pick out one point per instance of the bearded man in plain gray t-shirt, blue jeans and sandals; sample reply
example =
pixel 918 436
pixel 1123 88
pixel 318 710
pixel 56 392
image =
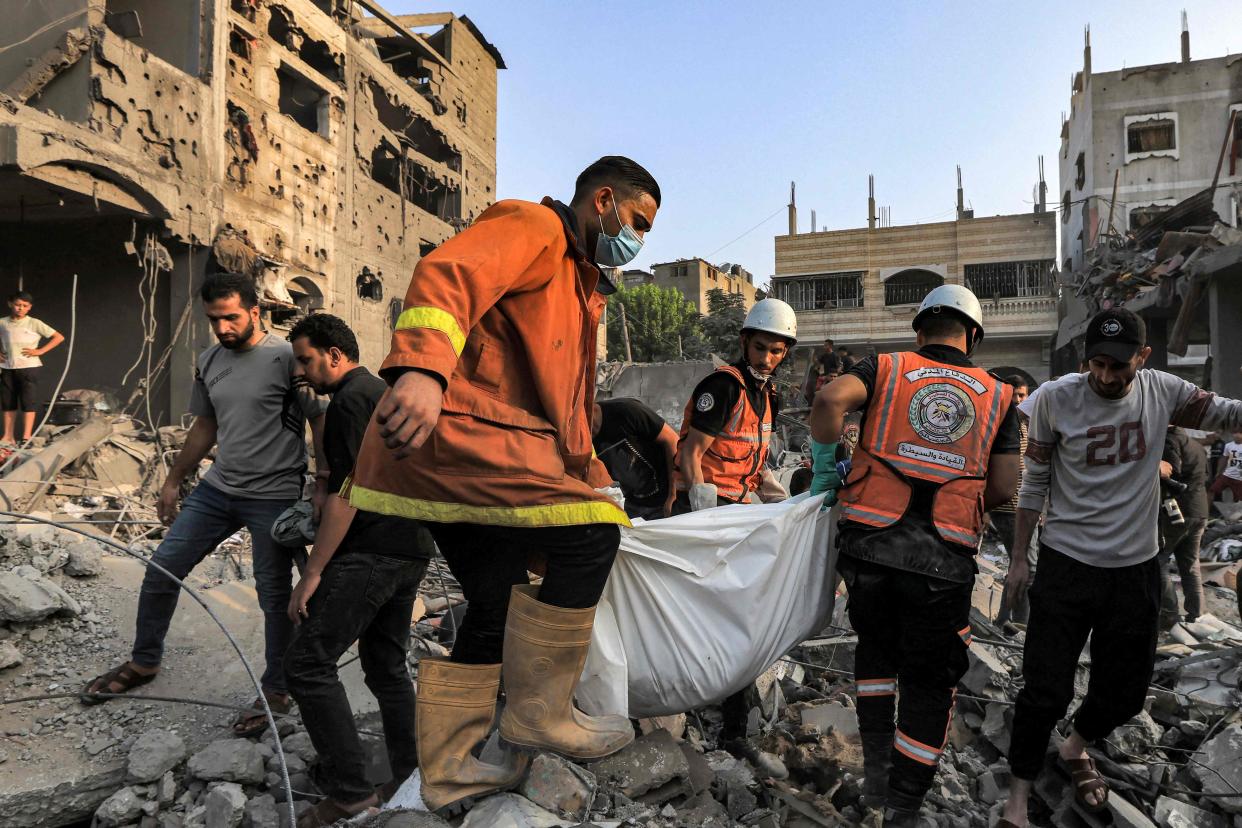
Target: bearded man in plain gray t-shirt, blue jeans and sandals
pixel 247 403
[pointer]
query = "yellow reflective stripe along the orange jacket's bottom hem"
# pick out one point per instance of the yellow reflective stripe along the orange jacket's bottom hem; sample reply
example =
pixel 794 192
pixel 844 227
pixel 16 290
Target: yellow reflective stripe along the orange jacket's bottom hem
pixel 558 515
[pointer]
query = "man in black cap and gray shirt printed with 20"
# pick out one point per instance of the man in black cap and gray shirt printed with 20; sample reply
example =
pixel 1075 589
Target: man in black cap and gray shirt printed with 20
pixel 1094 455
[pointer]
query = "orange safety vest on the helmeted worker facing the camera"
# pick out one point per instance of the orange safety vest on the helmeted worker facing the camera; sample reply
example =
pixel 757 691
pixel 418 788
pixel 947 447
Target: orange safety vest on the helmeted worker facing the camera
pixel 735 461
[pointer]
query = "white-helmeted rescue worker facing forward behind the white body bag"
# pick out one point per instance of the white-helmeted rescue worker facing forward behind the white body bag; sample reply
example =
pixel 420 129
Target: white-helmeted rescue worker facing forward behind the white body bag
pixel 722 450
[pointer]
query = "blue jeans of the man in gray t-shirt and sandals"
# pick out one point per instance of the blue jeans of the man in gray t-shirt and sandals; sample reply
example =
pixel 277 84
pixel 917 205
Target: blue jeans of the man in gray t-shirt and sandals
pixel 208 517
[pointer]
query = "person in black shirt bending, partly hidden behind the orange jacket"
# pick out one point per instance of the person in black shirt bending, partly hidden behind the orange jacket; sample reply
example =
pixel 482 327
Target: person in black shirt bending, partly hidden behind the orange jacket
pixel 640 451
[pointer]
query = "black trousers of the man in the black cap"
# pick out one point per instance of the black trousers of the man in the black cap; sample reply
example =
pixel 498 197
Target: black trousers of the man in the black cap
pixel 1120 610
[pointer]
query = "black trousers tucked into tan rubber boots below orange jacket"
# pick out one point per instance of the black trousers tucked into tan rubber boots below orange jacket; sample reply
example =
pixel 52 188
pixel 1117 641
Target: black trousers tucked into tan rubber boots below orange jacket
pixel 489 562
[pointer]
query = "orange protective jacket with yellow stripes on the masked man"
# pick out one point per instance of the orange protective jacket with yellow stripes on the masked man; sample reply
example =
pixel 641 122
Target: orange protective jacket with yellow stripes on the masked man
pixel 505 315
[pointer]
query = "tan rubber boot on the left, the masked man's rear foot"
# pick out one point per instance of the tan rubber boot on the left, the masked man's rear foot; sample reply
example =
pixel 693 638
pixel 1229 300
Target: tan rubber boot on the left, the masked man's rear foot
pixel 454 712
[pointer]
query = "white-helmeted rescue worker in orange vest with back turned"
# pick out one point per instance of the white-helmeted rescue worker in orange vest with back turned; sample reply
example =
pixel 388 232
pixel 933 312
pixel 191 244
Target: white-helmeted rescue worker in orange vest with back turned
pixel 938 446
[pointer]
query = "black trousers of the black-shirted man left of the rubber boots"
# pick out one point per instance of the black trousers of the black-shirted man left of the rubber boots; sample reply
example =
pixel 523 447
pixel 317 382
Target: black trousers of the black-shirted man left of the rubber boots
pixel 368 599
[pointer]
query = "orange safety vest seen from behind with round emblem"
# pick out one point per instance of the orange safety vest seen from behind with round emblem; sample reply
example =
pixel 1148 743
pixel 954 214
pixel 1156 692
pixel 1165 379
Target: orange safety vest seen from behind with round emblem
pixel 928 421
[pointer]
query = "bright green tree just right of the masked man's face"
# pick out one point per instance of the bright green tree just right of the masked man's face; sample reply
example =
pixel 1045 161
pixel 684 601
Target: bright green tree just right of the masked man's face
pixel 656 317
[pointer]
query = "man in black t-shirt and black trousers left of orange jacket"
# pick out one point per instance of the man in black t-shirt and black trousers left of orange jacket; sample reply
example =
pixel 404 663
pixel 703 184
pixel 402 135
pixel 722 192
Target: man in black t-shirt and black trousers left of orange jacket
pixel 361 584
